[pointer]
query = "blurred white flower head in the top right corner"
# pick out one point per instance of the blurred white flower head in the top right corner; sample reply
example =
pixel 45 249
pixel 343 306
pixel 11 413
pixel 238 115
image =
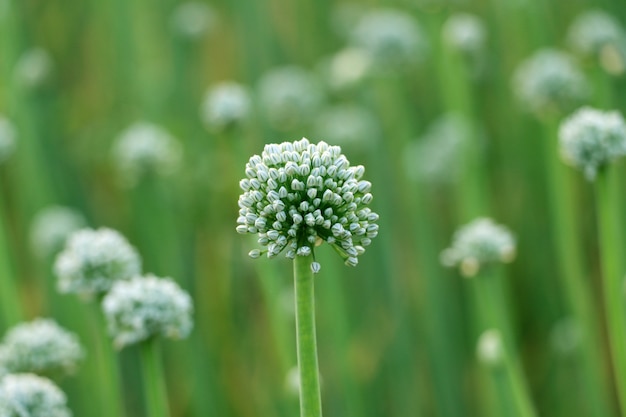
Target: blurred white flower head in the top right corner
pixel 596 33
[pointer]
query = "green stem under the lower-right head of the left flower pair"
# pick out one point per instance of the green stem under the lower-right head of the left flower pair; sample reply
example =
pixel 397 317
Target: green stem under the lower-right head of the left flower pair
pixel 153 379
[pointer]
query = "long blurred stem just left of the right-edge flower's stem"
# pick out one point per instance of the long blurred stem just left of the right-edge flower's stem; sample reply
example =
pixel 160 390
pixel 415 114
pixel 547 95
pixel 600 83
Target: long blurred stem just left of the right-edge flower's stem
pixel 573 272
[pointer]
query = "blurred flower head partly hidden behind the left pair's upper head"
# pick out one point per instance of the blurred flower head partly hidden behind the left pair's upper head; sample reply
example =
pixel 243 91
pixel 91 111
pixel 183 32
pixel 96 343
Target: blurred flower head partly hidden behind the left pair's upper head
pixel 51 227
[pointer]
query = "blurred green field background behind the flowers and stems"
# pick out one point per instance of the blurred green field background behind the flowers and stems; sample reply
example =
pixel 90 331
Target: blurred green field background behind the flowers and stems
pixel 396 334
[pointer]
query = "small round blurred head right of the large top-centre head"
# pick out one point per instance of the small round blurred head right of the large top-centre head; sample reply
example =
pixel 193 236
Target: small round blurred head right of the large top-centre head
pixel 465 33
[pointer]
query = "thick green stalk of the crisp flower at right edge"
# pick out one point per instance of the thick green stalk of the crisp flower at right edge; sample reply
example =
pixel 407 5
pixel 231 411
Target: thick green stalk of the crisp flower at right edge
pixel 611 249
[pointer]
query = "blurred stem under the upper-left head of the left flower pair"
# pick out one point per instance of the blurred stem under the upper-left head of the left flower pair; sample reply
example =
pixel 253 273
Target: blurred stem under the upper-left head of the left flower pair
pixel 111 403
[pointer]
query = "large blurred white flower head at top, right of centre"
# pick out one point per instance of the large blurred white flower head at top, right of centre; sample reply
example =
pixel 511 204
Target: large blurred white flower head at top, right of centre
pixel 392 38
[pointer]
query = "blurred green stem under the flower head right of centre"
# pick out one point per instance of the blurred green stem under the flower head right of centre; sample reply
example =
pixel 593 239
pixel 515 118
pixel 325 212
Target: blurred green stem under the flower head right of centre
pixel 493 314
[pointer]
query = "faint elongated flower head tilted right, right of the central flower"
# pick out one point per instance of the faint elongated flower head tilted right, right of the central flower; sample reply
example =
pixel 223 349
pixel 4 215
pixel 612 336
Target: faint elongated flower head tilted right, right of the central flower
pixel 435 157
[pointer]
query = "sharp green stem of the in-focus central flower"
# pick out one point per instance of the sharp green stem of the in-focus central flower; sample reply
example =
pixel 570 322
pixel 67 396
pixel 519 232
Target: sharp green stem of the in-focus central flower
pixel 310 398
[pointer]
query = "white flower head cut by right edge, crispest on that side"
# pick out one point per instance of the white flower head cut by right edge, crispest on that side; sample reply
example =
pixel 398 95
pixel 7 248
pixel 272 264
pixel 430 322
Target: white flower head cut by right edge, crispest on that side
pixel 590 139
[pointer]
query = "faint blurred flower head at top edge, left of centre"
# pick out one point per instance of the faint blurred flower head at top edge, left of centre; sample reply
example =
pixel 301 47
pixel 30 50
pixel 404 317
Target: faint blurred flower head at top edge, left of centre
pixel 193 19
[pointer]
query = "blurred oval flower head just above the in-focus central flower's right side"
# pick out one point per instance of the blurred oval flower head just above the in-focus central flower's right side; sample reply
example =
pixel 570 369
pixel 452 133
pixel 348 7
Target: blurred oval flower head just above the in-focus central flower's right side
pixel 348 125
